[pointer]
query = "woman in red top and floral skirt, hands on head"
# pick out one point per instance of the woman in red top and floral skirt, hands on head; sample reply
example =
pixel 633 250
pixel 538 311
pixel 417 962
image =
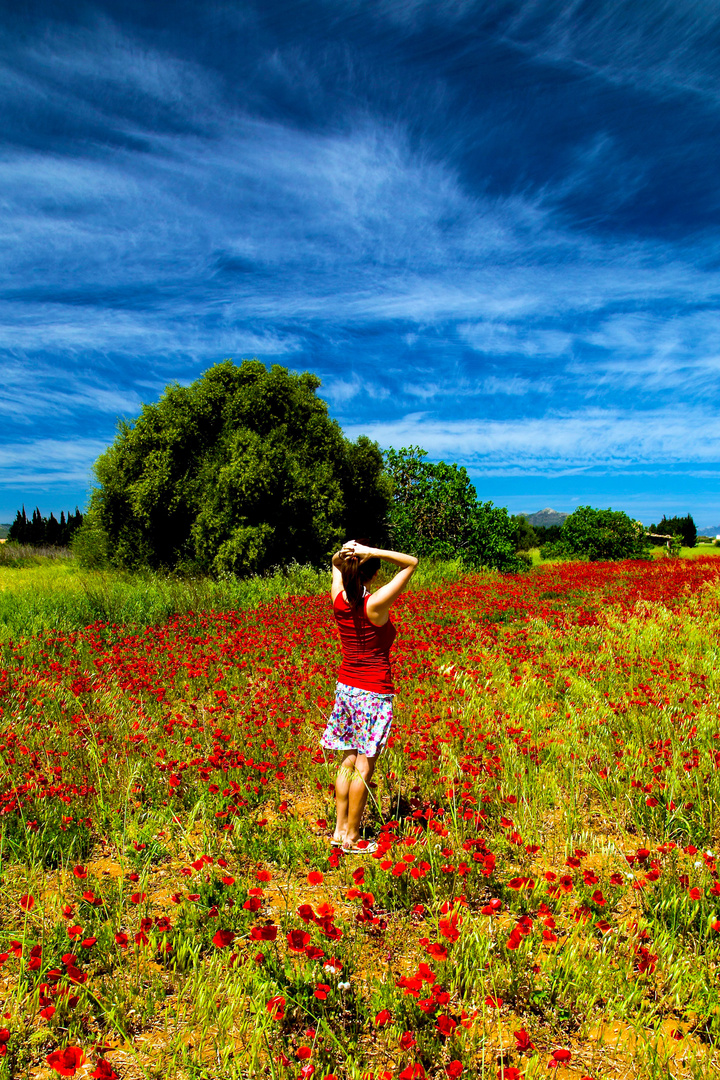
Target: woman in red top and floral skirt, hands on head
pixel 363 712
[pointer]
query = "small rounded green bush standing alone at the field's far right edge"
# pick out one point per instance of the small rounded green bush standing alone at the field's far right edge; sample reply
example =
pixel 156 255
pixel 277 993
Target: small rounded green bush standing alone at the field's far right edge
pixel 600 535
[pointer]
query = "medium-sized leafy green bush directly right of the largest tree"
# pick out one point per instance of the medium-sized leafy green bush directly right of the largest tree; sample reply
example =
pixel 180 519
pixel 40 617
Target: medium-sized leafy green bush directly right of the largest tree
pixel 436 515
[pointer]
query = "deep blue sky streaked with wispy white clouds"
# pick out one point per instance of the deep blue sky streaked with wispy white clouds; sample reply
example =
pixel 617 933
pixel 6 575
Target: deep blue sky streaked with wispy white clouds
pixel 492 228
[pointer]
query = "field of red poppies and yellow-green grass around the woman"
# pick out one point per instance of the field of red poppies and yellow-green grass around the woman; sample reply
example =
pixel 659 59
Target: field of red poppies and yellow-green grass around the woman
pixel 546 896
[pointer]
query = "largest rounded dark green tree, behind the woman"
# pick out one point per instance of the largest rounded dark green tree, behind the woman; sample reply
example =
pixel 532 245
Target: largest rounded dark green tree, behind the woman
pixel 240 471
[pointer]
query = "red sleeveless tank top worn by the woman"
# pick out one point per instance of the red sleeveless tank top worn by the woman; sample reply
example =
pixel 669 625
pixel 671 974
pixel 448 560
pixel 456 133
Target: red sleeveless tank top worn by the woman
pixel 365 649
